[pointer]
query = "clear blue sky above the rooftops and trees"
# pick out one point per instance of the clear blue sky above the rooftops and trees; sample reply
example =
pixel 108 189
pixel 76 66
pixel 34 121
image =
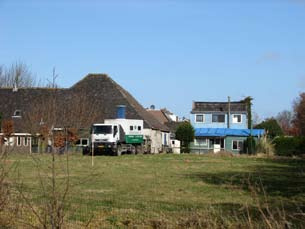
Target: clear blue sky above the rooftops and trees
pixel 165 52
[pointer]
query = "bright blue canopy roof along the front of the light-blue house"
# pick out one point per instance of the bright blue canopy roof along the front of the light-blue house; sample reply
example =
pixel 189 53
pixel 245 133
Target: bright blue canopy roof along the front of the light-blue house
pixel 223 132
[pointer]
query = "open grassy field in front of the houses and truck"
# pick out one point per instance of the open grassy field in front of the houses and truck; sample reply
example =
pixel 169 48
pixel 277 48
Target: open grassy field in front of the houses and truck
pixel 168 191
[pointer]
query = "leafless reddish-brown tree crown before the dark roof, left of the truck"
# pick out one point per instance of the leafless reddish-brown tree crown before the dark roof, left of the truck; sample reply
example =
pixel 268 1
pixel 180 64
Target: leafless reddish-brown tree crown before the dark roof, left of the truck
pixel 66 110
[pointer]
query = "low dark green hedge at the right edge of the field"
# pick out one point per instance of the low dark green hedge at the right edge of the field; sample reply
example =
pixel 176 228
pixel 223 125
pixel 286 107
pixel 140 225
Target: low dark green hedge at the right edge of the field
pixel 289 146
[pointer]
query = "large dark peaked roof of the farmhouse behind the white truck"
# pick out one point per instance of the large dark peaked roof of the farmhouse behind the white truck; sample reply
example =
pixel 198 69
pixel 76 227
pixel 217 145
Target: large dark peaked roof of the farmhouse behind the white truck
pixel 91 100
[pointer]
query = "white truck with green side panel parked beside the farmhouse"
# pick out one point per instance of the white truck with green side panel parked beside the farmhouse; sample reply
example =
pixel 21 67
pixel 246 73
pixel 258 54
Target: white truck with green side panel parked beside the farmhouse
pixel 115 137
